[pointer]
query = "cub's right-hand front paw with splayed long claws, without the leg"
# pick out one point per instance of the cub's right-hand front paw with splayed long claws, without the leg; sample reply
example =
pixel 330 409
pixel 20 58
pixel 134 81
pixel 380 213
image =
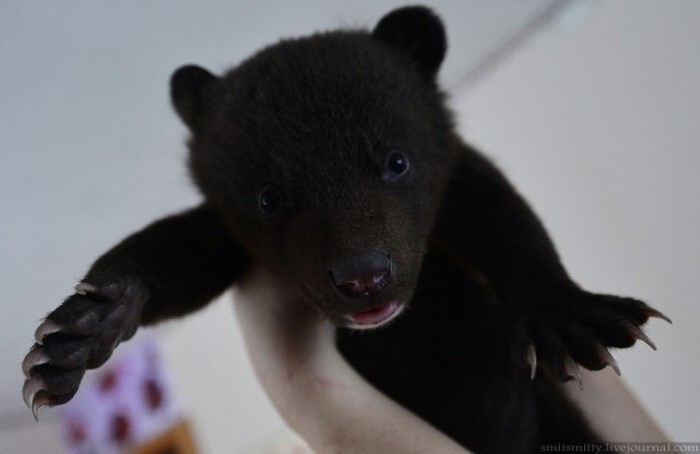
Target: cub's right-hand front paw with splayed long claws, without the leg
pixel 568 327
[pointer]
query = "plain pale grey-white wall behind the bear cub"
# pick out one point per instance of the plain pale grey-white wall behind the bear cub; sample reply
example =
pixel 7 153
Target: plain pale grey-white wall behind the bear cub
pixel 596 123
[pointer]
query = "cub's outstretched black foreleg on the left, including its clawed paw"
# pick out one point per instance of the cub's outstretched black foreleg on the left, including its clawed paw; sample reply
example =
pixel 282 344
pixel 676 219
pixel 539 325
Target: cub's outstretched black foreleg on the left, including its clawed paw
pixel 170 268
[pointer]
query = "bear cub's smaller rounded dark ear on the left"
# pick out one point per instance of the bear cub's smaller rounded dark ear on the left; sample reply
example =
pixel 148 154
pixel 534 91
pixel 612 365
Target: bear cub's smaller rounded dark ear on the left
pixel 191 92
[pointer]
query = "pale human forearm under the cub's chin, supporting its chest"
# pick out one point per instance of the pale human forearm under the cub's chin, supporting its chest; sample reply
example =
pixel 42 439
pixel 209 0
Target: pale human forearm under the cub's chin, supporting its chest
pixel 314 389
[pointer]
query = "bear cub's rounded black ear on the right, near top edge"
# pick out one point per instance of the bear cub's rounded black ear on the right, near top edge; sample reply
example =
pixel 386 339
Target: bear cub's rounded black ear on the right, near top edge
pixel 418 32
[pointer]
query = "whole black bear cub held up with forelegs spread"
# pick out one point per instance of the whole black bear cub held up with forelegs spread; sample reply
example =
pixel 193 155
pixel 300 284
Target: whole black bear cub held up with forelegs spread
pixel 333 161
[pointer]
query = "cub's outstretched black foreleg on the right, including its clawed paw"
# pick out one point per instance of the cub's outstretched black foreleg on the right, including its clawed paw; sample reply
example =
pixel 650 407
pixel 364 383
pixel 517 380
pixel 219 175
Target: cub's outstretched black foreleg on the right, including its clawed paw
pixel 556 324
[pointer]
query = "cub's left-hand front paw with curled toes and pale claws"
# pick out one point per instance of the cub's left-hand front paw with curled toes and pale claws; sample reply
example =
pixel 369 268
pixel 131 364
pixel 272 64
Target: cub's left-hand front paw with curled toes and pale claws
pixel 80 334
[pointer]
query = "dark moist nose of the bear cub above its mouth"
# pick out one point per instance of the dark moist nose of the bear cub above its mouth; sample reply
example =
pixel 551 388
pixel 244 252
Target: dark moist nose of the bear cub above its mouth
pixel 362 274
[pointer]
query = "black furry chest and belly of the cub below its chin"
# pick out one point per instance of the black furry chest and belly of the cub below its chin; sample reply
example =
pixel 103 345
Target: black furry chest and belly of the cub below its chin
pixel 447 358
